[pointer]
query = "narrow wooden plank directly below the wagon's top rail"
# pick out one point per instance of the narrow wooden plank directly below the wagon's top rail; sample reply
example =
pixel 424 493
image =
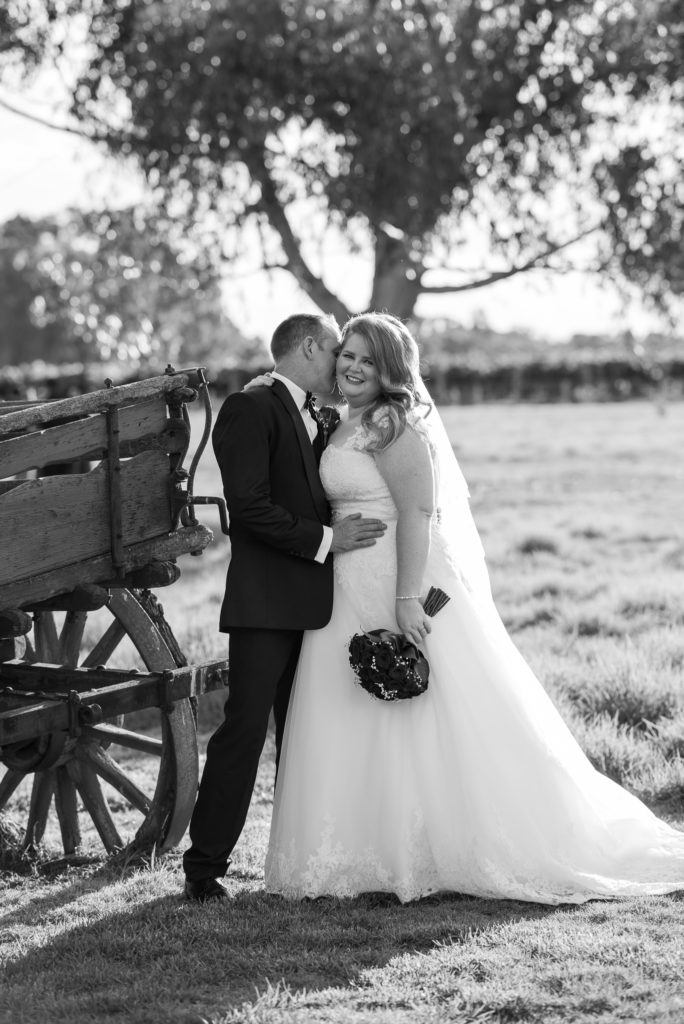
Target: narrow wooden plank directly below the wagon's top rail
pixel 83 440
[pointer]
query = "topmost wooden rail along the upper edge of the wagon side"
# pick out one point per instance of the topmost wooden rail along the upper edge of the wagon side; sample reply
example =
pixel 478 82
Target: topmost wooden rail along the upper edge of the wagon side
pixel 95 402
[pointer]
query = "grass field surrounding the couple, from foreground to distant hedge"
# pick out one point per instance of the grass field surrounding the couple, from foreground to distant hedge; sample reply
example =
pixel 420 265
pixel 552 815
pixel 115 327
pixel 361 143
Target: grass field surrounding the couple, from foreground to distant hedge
pixel 581 513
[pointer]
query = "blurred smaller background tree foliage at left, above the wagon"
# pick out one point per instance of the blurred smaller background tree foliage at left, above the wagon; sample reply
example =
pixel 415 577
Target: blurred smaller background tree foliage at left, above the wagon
pixel 105 286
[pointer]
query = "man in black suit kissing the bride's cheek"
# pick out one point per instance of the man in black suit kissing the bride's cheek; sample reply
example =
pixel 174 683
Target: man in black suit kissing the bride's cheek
pixel 269 442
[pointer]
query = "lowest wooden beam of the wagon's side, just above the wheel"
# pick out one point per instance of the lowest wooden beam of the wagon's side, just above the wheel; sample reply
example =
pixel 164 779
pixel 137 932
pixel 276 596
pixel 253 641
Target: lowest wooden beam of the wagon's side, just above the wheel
pixel 24 593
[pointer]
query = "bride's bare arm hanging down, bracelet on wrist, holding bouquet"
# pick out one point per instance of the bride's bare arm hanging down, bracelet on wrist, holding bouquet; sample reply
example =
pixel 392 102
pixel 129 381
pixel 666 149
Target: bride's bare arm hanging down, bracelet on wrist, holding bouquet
pixel 407 470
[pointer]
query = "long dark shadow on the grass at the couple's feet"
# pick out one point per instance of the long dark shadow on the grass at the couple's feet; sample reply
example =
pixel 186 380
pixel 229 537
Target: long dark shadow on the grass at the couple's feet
pixel 137 950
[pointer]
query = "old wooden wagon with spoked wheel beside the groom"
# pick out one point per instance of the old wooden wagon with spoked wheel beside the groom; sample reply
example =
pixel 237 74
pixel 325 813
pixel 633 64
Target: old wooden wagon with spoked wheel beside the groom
pixel 96 507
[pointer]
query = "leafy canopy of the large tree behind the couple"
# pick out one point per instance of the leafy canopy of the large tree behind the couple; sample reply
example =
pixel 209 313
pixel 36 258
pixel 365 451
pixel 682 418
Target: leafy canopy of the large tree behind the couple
pixel 402 126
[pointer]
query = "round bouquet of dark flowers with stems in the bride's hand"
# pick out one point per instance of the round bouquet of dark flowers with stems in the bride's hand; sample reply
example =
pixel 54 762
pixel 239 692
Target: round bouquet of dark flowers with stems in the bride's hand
pixel 388 665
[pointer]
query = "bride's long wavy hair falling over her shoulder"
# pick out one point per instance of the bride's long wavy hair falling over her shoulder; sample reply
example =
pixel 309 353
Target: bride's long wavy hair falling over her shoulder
pixel 395 353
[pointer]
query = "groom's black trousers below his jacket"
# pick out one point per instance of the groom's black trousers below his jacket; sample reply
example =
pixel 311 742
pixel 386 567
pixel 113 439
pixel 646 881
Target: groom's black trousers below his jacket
pixel 262 666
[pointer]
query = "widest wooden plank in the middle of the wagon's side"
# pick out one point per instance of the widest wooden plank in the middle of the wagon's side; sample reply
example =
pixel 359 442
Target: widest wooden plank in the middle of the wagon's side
pixel 59 521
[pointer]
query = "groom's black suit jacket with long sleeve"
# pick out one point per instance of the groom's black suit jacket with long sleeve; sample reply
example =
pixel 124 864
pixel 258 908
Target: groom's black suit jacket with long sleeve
pixel 278 508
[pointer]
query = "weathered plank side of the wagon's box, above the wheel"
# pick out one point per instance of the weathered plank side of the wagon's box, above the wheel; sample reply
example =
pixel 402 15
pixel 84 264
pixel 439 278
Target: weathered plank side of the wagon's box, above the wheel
pixel 135 509
